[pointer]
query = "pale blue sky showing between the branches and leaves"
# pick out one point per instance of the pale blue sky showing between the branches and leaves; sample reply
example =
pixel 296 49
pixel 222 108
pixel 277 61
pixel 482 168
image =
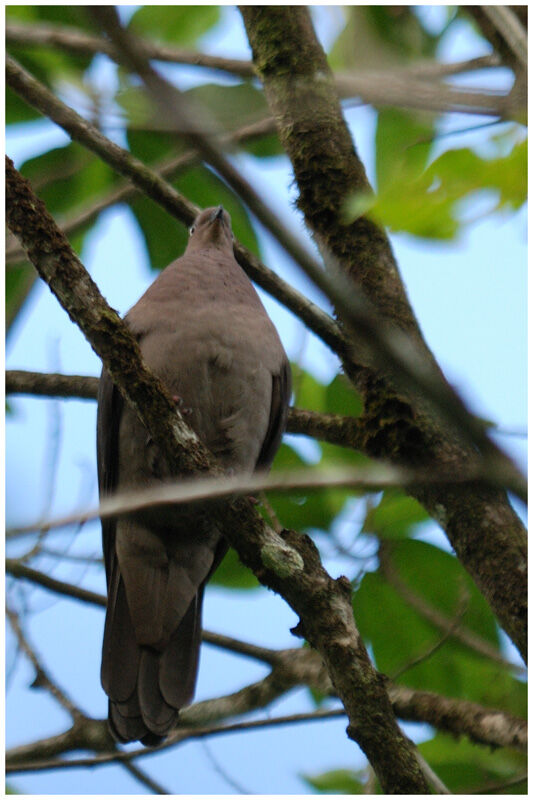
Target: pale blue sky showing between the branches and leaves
pixel 470 298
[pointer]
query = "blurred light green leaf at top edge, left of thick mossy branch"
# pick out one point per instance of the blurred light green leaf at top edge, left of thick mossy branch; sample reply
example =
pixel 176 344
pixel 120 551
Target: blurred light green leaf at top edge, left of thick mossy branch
pixel 182 25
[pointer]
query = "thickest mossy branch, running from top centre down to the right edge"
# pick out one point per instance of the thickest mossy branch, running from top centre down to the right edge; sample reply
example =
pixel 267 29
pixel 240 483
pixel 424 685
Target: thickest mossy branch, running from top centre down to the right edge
pixel 482 527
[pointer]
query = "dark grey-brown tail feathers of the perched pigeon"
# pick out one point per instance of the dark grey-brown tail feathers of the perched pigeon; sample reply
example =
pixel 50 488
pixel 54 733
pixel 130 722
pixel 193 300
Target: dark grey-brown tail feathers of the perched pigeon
pixel 146 686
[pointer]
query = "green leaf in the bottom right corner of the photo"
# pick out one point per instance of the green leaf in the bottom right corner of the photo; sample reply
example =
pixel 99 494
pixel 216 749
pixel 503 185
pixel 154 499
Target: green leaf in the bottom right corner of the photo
pixel 466 768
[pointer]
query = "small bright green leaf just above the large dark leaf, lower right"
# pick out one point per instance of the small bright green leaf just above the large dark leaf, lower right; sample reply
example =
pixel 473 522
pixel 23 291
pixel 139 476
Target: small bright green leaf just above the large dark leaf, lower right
pixel 395 517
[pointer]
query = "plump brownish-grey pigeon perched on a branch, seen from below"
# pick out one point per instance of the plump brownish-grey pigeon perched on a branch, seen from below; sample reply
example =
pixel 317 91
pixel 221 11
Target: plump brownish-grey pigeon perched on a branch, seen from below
pixel 204 332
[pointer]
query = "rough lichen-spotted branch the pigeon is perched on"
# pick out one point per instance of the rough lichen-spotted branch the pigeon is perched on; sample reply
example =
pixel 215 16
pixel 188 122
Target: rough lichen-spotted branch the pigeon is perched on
pixel 288 563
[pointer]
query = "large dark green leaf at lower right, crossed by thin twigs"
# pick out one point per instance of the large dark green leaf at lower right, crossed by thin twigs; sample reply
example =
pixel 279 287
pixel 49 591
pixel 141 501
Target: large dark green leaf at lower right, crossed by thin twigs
pixel 399 633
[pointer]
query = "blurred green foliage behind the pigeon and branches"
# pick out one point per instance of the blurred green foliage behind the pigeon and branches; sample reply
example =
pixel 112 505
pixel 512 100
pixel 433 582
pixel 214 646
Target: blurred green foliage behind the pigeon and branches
pixel 416 193
